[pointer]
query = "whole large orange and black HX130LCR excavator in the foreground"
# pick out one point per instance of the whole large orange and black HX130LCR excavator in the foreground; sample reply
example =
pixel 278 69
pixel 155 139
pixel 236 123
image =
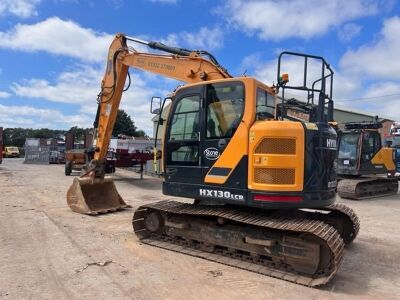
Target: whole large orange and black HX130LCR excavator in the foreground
pixel 263 185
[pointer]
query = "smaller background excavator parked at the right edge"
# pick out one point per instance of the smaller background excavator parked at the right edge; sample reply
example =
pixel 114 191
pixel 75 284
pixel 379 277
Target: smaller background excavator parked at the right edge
pixel 361 159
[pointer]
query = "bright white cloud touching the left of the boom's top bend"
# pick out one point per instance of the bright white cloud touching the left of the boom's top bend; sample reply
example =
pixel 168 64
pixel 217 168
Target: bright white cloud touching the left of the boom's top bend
pixel 57 36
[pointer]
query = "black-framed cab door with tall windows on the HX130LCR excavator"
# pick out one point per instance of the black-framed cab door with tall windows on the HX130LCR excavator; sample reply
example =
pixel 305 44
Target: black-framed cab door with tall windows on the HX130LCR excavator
pixel 182 162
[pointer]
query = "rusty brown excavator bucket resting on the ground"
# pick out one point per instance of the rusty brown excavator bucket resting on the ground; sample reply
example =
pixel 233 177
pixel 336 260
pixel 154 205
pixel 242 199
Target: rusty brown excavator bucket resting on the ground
pixel 88 196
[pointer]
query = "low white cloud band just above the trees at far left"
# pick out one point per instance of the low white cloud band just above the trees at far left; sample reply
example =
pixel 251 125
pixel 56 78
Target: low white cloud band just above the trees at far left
pixel 28 116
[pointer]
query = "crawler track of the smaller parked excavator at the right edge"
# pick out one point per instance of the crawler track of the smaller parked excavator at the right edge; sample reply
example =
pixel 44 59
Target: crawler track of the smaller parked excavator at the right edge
pixel 347 188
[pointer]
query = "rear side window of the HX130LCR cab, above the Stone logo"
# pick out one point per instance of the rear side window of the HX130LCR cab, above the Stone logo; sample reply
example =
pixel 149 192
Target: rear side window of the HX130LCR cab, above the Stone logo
pixel 225 104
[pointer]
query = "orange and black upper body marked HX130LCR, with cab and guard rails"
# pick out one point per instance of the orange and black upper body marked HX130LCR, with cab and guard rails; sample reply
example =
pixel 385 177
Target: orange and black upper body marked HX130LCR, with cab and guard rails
pixel 226 142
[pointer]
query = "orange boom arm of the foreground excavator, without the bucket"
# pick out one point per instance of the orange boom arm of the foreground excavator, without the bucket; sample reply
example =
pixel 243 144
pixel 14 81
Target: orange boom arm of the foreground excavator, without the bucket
pixel 184 65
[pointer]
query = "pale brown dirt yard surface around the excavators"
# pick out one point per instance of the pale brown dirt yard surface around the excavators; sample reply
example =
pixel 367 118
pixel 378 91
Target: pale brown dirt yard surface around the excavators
pixel 49 252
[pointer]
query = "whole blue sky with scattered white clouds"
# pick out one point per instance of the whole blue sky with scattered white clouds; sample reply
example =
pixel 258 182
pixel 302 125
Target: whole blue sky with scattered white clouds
pixel 53 52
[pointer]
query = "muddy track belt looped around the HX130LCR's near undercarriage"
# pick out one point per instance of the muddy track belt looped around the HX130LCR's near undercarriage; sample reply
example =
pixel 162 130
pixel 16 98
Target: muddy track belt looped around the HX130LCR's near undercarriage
pixel 324 232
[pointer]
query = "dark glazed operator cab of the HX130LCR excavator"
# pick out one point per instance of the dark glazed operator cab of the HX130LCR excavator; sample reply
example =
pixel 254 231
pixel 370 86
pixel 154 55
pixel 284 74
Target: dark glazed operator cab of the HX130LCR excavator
pixel 202 120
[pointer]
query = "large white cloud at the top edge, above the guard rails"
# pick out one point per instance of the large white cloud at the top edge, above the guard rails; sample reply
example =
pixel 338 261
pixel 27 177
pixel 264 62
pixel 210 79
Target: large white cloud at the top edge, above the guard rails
pixel 278 20
